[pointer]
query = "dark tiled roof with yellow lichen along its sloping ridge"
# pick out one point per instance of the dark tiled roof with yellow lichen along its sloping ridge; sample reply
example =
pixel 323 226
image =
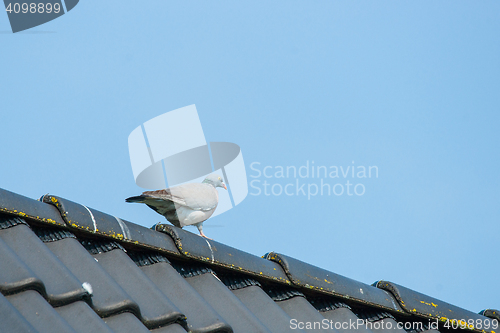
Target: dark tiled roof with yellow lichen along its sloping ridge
pixel 65 267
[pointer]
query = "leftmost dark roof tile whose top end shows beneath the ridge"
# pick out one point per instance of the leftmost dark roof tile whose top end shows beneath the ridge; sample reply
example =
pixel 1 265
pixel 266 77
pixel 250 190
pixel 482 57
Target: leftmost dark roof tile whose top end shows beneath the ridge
pixel 61 286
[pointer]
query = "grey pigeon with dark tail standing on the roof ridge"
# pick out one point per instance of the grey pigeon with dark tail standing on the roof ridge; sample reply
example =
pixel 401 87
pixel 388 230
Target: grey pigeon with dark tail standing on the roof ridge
pixel 188 204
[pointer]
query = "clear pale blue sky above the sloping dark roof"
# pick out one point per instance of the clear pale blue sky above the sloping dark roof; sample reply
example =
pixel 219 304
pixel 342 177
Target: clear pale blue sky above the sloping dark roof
pixel 409 87
